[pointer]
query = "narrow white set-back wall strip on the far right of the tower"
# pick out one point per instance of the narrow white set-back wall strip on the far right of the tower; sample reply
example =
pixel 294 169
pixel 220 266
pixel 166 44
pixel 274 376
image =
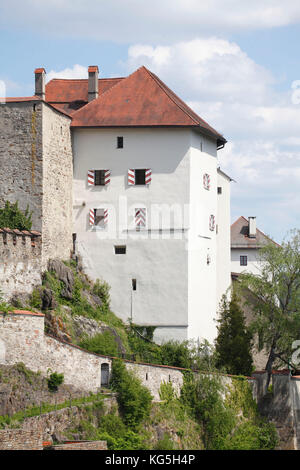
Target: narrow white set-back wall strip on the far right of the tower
pixel 223 238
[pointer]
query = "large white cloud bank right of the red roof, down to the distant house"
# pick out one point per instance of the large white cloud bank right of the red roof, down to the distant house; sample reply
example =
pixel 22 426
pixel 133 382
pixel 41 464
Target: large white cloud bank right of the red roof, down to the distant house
pixel 237 97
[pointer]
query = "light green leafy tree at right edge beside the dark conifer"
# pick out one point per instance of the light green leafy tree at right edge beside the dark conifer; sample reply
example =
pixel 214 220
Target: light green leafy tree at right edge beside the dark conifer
pixel 276 294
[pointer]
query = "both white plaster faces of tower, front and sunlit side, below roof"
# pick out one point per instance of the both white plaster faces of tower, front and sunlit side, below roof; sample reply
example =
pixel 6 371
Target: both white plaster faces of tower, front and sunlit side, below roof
pixel 176 288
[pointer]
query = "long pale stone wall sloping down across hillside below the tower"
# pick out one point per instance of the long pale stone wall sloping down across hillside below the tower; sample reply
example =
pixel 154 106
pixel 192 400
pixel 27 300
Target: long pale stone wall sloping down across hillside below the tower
pixel 22 339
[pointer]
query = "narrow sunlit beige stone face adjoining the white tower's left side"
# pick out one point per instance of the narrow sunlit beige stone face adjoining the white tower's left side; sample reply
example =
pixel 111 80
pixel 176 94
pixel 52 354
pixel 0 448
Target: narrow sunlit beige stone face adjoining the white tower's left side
pixel 57 223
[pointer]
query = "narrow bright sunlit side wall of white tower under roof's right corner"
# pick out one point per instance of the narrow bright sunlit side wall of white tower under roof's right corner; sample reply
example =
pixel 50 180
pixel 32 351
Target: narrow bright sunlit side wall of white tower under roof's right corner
pixel 202 241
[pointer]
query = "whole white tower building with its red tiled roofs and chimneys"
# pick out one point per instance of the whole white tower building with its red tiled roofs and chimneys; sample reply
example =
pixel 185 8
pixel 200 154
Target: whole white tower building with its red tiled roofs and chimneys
pixel 151 208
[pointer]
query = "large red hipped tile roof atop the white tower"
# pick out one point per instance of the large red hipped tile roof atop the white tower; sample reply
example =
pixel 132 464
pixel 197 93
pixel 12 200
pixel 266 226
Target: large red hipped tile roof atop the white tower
pixel 141 99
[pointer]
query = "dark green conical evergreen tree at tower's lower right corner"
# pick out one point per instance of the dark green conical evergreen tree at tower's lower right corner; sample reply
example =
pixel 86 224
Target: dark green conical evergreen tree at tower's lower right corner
pixel 233 343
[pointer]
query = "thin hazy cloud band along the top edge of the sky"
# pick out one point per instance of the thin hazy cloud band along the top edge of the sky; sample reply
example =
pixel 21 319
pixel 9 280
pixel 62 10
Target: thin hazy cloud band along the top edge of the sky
pixel 156 21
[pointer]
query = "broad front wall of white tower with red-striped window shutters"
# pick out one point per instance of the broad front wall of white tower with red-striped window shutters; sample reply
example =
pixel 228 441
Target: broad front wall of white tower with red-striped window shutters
pixel 158 262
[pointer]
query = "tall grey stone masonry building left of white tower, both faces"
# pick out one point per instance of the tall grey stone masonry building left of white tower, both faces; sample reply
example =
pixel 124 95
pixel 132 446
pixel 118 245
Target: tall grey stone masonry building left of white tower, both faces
pixel 37 170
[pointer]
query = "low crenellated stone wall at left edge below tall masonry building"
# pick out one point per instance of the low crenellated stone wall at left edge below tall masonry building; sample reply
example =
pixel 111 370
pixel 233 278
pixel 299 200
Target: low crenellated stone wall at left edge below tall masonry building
pixel 20 261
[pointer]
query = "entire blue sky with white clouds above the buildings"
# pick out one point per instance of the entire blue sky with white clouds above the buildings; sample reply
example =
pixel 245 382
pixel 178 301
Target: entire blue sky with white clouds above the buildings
pixel 234 62
